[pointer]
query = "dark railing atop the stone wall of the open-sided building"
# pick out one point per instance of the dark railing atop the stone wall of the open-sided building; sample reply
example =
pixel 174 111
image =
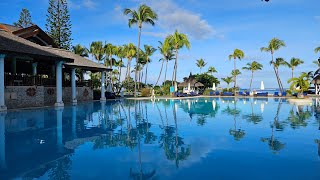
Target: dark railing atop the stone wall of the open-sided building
pixel 38 80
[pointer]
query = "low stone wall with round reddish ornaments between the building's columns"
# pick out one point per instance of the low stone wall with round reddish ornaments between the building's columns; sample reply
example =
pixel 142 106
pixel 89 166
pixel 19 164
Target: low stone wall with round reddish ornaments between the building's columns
pixel 37 96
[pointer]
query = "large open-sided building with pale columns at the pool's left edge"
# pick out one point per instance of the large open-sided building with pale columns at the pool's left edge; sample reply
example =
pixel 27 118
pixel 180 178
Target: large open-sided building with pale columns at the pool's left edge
pixel 34 72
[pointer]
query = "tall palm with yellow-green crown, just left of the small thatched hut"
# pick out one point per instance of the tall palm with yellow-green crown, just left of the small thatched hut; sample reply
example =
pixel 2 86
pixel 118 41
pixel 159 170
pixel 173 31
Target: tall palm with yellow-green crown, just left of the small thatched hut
pixel 178 41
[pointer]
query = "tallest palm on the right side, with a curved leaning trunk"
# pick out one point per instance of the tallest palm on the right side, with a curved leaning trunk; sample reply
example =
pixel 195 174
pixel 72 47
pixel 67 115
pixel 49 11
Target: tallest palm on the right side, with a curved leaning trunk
pixel 274 45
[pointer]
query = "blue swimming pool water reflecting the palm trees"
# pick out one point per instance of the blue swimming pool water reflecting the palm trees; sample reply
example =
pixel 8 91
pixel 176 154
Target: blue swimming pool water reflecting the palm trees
pixel 200 138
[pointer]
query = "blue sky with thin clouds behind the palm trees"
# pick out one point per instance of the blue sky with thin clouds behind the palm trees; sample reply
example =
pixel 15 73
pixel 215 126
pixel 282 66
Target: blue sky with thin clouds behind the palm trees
pixel 215 29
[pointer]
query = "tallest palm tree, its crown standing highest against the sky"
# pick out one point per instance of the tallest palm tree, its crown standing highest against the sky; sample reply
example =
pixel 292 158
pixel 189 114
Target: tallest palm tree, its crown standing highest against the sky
pixel 144 14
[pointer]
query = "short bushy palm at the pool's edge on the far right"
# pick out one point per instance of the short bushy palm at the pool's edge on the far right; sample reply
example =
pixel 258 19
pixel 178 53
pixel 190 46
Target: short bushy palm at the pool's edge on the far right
pixel 300 84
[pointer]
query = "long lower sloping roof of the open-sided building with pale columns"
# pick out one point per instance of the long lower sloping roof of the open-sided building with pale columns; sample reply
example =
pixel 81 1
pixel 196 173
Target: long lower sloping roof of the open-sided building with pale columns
pixel 11 44
